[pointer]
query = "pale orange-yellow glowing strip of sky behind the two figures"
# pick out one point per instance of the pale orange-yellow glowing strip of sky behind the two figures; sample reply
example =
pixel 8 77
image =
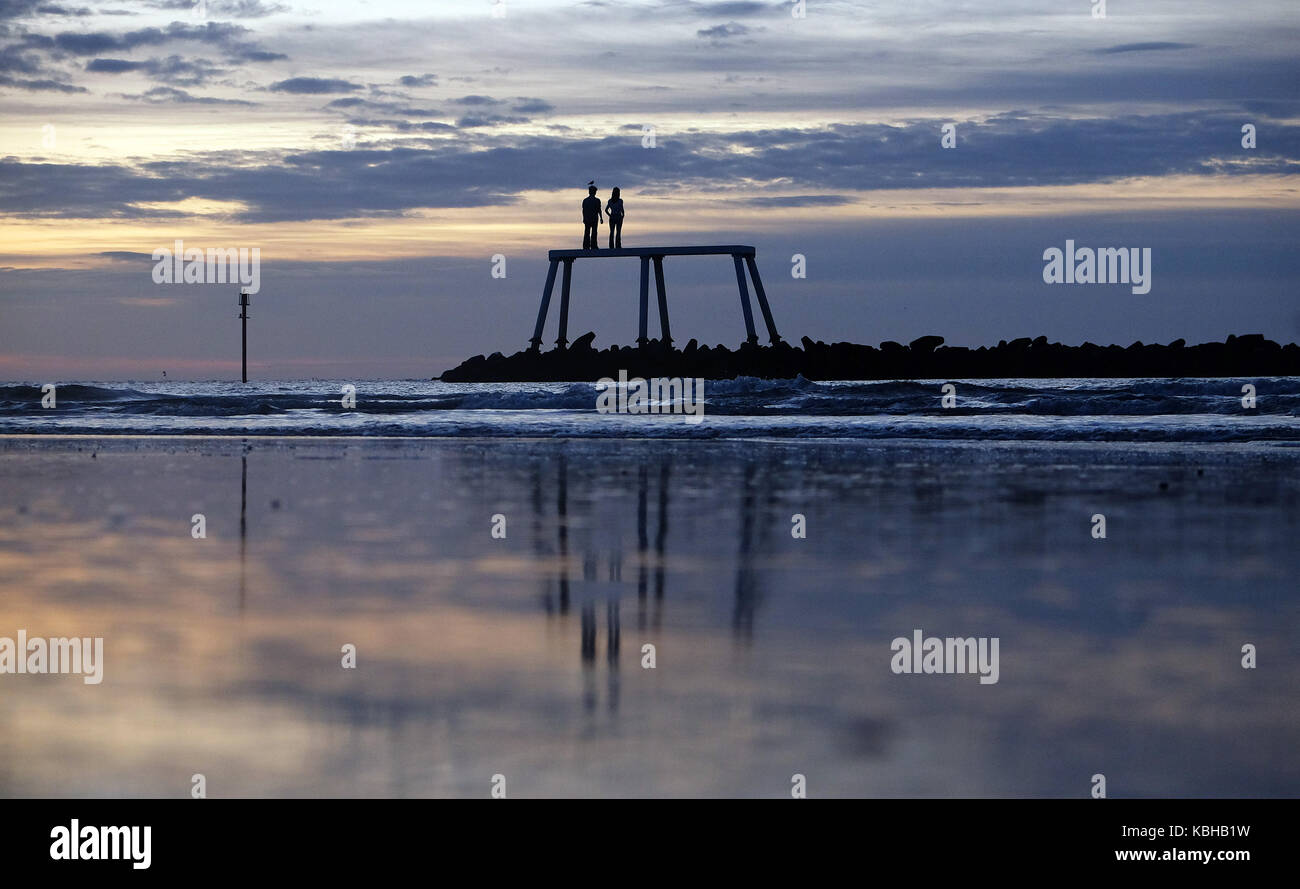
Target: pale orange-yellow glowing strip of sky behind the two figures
pixel 544 220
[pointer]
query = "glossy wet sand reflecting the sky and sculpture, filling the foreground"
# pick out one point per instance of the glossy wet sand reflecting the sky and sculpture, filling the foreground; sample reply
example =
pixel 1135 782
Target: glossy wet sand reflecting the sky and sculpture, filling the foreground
pixel 1119 656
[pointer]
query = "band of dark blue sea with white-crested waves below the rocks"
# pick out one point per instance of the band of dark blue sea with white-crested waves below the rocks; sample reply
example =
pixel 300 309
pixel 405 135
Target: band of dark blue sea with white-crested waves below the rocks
pixel 1056 410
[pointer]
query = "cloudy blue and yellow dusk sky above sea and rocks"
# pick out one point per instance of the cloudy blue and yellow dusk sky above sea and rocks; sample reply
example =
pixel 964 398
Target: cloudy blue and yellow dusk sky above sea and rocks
pixel 379 155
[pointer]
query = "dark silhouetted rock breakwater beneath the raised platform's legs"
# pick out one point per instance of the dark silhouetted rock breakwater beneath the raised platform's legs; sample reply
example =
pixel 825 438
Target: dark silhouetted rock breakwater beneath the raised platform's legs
pixel 926 358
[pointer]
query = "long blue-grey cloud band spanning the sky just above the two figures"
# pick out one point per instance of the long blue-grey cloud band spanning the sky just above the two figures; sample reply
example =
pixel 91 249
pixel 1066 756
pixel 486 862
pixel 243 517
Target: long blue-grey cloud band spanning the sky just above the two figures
pixel 486 167
